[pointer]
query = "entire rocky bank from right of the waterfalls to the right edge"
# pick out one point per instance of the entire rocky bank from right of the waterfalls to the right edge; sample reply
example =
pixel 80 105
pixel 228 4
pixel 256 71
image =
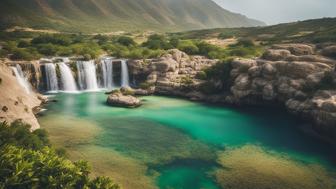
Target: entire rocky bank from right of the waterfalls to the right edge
pixel 290 75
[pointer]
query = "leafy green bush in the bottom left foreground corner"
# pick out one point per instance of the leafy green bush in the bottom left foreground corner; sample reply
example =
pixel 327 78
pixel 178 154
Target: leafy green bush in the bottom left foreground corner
pixel 27 160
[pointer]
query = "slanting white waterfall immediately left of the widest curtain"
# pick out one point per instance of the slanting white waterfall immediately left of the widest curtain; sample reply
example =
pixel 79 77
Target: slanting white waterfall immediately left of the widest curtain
pixel 68 81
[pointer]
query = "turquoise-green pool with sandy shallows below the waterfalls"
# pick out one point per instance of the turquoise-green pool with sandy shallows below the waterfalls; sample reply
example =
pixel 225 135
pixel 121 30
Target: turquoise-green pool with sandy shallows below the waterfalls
pixel 174 143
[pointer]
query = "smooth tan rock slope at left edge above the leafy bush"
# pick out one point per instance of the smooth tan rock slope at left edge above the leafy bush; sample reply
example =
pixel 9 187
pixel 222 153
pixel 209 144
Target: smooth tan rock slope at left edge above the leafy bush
pixel 15 102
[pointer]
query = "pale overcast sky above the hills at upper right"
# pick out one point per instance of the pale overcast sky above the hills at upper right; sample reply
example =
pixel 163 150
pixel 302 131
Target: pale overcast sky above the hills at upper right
pixel 280 11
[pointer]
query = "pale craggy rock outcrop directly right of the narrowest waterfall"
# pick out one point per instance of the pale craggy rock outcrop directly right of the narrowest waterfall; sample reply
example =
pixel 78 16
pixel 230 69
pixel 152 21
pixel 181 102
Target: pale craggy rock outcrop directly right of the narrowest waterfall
pixel 172 74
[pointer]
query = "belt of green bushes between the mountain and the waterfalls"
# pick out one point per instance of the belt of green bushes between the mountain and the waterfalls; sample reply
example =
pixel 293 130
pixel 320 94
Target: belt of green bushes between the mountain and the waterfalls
pixel 29 46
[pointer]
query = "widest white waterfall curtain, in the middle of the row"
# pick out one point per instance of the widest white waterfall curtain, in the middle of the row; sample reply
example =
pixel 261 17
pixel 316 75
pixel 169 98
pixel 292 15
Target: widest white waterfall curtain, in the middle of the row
pixel 87 78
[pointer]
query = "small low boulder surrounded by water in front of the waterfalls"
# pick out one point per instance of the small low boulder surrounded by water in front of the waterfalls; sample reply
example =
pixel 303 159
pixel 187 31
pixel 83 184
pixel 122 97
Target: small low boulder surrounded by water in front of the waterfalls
pixel 123 99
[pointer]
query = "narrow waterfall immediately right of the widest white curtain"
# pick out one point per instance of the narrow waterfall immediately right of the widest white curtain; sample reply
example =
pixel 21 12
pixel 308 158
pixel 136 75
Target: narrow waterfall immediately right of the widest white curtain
pixel 107 73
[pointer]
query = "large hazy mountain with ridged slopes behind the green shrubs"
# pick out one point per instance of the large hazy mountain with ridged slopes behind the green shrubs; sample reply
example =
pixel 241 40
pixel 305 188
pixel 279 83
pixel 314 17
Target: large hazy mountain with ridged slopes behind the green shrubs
pixel 107 15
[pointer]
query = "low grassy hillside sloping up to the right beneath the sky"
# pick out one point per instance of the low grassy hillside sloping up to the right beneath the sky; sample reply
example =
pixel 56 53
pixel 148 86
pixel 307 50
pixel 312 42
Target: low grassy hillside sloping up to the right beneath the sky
pixel 315 31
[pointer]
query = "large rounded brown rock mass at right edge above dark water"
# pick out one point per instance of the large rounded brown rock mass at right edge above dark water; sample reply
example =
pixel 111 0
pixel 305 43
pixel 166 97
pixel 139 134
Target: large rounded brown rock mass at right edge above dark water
pixel 292 75
